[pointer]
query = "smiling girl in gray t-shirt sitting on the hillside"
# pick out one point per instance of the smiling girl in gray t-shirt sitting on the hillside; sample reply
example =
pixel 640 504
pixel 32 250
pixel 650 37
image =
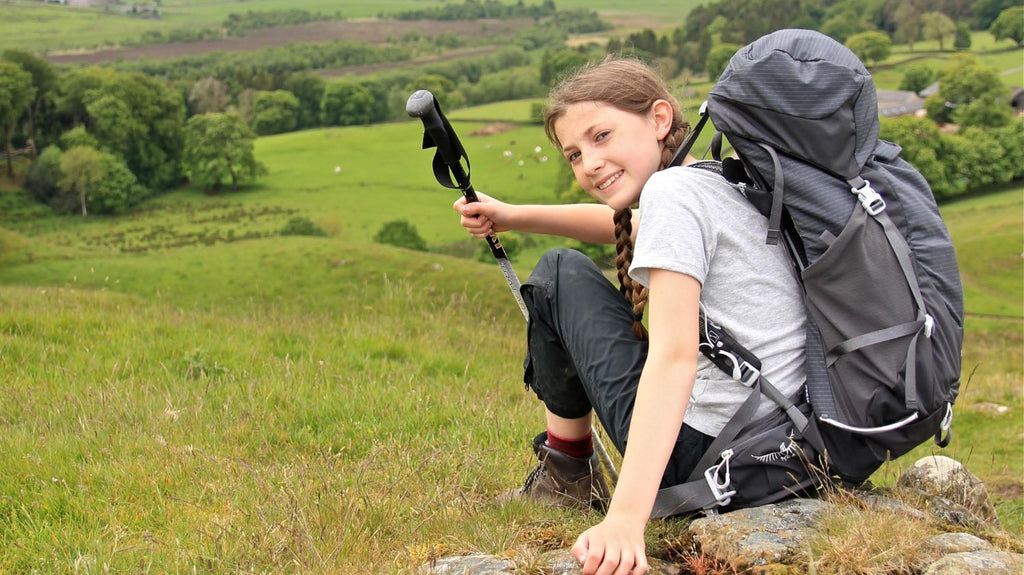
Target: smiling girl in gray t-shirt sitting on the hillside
pixel 699 244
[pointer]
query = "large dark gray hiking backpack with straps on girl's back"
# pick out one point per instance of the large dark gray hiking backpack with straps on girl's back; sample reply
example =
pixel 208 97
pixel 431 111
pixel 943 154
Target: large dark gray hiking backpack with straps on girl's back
pixel 878 269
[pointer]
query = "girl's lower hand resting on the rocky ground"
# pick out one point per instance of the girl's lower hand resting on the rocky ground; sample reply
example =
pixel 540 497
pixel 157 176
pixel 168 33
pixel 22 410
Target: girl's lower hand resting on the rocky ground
pixel 615 547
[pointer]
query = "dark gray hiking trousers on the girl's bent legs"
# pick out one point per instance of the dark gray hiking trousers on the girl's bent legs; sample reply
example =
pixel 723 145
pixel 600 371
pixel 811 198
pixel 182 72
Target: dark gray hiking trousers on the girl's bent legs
pixel 582 353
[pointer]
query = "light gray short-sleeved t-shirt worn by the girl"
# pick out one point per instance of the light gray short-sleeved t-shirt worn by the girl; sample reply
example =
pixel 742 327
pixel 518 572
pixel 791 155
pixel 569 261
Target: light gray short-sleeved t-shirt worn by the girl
pixel 694 223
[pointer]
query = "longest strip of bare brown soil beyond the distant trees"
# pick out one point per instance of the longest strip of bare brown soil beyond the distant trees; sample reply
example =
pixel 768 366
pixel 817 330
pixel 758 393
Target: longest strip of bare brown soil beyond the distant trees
pixel 373 32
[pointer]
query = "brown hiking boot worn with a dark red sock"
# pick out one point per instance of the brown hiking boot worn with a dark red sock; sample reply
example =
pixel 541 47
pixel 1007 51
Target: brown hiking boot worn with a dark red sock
pixel 562 480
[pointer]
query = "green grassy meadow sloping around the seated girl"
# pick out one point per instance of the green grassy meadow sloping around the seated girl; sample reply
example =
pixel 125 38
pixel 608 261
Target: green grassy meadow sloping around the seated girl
pixel 186 390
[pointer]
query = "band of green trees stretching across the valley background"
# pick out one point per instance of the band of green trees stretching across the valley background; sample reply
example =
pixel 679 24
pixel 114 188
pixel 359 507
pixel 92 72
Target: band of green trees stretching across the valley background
pixel 108 138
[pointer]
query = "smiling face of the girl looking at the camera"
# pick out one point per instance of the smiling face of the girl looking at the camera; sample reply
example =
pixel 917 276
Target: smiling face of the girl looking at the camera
pixel 614 152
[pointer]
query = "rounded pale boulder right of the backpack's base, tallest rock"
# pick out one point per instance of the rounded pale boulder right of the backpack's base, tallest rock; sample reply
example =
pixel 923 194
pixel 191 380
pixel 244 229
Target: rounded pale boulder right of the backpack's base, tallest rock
pixel 938 476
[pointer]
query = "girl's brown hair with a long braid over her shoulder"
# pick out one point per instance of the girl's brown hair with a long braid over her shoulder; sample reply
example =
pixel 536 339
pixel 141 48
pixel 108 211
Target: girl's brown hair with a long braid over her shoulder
pixel 632 86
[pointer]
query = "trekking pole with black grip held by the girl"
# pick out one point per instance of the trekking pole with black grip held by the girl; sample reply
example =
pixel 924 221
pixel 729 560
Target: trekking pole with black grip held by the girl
pixel 448 164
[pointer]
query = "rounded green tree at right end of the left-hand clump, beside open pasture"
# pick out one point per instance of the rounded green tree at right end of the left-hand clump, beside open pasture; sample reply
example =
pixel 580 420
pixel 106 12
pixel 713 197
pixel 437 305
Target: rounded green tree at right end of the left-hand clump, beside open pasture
pixel 220 147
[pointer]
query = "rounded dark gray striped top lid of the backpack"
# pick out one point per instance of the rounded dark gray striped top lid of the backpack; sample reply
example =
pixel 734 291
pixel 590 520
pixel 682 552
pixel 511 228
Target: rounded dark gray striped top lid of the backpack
pixel 804 95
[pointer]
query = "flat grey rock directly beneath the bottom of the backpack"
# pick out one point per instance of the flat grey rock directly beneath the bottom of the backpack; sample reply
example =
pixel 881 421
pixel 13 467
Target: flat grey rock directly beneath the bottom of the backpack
pixel 759 537
